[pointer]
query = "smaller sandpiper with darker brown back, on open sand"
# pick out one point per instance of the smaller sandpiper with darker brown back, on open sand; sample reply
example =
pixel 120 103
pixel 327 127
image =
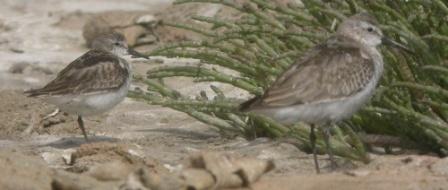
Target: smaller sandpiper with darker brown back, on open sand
pixel 93 83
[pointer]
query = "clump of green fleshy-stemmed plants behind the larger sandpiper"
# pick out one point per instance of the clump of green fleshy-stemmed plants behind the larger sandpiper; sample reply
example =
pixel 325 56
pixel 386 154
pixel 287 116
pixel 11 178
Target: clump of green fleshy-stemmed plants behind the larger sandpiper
pixel 409 109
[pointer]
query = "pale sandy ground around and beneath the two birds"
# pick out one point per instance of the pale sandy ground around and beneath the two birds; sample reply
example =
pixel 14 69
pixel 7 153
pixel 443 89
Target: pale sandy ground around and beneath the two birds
pixel 39 39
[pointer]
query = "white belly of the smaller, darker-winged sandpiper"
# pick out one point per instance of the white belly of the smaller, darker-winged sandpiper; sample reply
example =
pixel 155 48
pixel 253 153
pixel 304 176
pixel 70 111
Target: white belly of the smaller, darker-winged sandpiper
pixel 89 104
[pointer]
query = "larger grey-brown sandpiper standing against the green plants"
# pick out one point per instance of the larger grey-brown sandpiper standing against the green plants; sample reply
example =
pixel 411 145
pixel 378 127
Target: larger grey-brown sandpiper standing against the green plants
pixel 330 83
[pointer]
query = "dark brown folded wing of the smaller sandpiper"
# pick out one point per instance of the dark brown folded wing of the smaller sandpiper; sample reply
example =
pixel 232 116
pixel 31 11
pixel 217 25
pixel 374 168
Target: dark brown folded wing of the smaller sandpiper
pixel 95 71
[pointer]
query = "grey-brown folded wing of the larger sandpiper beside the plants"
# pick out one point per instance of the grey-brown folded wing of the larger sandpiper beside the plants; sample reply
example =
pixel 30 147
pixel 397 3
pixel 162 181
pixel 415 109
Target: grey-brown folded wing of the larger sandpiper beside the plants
pixel 328 73
